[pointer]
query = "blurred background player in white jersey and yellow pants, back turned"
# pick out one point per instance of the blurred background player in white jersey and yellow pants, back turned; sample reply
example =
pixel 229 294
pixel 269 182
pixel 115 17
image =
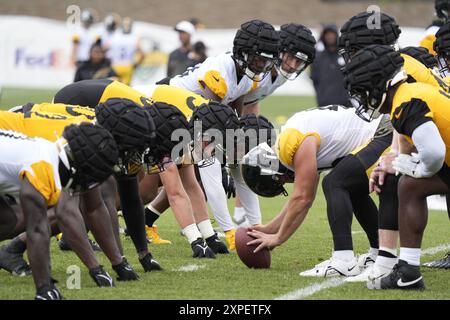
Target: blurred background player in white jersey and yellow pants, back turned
pixel 125 52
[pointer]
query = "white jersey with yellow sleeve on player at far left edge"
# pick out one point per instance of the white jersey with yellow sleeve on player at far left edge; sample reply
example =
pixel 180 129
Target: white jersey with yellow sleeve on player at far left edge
pixel 34 158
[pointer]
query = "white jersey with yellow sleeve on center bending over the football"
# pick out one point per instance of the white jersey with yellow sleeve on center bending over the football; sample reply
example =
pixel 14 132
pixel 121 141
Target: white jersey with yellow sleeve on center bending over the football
pixel 339 130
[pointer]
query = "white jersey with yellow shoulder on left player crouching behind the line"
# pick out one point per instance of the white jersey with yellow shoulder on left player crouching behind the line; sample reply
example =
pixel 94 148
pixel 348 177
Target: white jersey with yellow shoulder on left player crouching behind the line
pixel 219 75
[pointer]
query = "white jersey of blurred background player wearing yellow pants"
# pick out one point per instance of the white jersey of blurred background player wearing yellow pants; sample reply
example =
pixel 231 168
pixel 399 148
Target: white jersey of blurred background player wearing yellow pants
pixel 122 48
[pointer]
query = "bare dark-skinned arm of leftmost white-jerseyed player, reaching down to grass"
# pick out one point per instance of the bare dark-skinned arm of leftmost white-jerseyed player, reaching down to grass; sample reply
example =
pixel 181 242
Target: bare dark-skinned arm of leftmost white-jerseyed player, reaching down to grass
pixel 38 233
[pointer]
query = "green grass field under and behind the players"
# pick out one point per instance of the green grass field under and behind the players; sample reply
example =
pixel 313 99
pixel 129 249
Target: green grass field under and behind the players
pixel 226 278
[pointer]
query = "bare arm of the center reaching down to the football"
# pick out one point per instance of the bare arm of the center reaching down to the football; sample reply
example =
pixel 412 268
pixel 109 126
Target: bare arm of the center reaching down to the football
pixel 305 186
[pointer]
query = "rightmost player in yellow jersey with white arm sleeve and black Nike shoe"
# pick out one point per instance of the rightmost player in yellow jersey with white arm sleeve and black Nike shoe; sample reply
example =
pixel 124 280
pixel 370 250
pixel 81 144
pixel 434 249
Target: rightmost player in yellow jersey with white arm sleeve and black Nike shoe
pixel 378 85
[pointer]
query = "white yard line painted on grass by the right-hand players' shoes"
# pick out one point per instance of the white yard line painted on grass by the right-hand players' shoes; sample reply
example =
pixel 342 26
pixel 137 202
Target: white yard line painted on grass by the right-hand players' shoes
pixel 336 282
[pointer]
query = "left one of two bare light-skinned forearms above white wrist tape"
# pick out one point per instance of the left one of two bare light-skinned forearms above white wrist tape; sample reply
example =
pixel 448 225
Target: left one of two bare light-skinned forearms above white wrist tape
pixel 177 196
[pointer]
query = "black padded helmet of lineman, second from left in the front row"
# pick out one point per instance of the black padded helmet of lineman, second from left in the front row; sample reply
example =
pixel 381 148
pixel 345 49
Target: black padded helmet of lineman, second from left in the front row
pixel 133 130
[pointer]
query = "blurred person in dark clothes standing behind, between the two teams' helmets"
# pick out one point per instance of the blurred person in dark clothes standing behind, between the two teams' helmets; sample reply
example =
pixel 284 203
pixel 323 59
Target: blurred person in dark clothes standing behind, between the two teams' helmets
pixel 326 72
